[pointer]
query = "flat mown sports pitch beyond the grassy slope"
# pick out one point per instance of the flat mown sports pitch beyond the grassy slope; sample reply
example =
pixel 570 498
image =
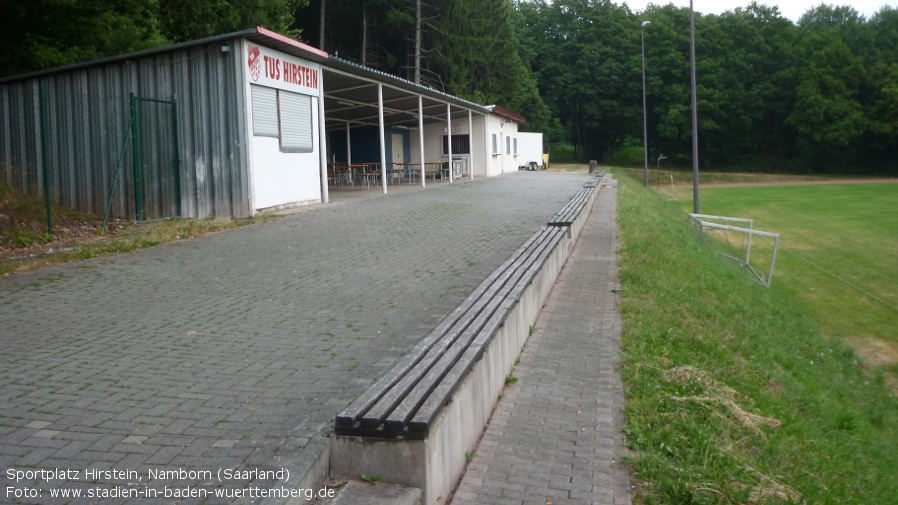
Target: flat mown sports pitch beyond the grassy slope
pixel 838 253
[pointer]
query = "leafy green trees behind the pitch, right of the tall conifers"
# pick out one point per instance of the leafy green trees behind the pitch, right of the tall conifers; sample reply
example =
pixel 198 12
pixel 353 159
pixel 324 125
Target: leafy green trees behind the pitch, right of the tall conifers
pixel 817 96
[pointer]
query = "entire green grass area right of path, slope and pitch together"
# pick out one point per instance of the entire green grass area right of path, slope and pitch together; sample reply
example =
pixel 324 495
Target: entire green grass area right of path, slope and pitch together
pixel 741 394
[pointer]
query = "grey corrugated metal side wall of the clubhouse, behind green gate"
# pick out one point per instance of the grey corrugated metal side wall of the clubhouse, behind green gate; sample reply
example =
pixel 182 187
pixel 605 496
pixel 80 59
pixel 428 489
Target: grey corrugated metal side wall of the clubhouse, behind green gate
pixel 87 117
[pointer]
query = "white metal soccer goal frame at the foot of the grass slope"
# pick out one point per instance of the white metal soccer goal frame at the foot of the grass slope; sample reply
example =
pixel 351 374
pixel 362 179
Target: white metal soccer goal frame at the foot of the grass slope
pixel 735 242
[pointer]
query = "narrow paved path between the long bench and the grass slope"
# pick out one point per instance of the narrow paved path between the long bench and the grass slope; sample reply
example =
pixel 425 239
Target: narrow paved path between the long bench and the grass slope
pixel 555 435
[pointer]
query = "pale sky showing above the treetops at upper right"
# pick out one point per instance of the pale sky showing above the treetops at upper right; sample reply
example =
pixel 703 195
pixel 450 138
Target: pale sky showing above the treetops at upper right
pixel 792 9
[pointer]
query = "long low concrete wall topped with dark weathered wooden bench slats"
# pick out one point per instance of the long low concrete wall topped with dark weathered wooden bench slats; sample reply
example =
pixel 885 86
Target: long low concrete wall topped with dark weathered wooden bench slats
pixel 415 424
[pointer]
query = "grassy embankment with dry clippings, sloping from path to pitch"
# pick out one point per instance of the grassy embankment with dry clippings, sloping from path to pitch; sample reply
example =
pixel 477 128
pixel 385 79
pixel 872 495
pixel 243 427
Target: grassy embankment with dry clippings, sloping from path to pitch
pixel 733 394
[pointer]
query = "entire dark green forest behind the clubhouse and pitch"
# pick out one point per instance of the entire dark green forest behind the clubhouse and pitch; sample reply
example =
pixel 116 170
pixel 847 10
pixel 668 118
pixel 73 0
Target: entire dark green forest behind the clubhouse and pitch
pixel 819 95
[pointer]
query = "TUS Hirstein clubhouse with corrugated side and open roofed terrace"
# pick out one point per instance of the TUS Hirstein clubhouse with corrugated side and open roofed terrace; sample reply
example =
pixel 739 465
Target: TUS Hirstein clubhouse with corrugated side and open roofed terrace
pixel 229 126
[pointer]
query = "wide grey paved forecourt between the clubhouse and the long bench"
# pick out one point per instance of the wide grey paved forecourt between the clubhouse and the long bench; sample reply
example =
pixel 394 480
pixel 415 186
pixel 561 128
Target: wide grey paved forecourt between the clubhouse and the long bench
pixel 235 350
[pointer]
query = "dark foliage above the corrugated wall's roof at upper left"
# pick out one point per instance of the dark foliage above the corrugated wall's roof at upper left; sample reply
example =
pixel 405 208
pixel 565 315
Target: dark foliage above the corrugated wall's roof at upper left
pixel 47 33
